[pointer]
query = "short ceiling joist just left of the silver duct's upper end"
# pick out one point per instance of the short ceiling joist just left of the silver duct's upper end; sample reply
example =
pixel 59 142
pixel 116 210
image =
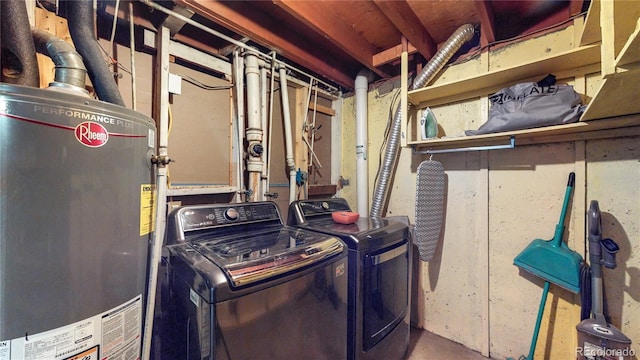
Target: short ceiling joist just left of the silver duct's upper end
pixel 403 17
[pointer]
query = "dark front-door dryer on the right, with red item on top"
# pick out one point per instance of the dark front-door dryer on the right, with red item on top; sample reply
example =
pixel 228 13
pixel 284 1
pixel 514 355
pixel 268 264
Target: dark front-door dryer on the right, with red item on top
pixel 379 258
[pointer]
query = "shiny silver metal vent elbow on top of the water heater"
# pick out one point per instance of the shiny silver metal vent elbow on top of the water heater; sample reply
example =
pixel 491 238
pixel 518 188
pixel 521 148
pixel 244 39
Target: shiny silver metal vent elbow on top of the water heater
pixel 70 73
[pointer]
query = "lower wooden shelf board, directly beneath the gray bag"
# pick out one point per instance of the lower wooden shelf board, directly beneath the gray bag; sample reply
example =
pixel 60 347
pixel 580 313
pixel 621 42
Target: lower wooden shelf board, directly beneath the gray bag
pixel 582 130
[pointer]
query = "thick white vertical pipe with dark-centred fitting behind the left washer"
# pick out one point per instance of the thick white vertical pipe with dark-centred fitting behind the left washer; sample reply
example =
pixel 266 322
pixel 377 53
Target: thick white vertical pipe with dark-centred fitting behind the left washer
pixel 254 128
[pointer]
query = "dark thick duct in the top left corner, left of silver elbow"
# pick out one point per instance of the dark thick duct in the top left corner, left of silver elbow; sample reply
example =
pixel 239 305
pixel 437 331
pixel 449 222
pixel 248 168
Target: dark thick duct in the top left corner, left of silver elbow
pixel 19 63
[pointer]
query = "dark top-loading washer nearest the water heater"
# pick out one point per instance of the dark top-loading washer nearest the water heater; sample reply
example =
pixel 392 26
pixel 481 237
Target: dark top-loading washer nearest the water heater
pixel 243 285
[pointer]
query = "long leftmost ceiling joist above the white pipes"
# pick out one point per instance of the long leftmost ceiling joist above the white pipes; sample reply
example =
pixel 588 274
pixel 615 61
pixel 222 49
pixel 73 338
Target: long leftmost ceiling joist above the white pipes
pixel 222 13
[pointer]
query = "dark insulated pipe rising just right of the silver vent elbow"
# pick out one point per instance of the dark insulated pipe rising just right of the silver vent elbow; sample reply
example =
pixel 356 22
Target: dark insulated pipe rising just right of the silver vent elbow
pixel 81 23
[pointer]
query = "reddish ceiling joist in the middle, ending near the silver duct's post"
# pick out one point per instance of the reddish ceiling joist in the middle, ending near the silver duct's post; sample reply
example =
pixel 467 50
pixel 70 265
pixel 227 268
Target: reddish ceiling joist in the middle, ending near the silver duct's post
pixel 322 20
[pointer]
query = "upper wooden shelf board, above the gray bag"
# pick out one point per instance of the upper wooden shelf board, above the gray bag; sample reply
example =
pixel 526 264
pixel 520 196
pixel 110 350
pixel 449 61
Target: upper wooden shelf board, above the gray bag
pixel 495 80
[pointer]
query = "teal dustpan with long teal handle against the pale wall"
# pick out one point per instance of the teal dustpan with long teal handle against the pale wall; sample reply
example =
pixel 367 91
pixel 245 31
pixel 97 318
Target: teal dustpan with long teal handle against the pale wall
pixel 553 261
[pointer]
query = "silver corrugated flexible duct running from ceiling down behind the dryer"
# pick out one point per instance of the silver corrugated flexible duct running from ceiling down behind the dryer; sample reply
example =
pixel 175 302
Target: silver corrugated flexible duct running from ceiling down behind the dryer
pixel 381 192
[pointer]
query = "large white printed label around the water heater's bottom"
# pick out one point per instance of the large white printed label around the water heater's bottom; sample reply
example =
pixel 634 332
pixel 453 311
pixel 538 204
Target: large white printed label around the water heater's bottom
pixel 112 335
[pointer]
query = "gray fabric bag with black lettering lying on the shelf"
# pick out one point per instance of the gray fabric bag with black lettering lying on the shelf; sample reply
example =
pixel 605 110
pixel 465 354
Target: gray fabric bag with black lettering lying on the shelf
pixel 529 105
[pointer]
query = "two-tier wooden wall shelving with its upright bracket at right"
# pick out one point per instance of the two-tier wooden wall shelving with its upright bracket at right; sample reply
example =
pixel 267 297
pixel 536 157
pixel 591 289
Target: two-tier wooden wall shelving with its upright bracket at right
pixel 611 48
